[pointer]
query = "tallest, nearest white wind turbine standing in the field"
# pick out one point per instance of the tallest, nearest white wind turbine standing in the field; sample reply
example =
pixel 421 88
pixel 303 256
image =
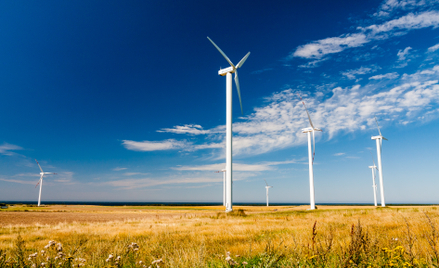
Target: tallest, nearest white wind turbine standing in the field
pixel 228 73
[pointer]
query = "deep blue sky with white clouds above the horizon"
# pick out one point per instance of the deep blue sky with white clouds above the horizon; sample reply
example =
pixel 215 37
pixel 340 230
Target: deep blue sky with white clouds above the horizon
pixel 123 99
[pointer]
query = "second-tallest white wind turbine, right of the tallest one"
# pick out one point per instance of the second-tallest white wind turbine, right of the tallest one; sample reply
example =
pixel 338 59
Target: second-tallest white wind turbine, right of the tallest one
pixel 311 154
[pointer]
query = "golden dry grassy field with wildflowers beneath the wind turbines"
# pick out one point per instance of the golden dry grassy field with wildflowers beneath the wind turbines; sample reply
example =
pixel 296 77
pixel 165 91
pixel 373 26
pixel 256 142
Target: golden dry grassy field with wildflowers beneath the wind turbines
pixel 142 236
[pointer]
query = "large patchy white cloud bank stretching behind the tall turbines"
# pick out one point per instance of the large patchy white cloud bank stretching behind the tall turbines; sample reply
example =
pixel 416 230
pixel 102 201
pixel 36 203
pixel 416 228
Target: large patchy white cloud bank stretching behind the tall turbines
pixel 277 125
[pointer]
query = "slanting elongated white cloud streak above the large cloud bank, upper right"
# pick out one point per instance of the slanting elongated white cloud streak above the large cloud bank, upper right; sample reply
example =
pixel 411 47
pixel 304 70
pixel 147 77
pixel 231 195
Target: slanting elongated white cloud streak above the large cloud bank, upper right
pixel 331 45
